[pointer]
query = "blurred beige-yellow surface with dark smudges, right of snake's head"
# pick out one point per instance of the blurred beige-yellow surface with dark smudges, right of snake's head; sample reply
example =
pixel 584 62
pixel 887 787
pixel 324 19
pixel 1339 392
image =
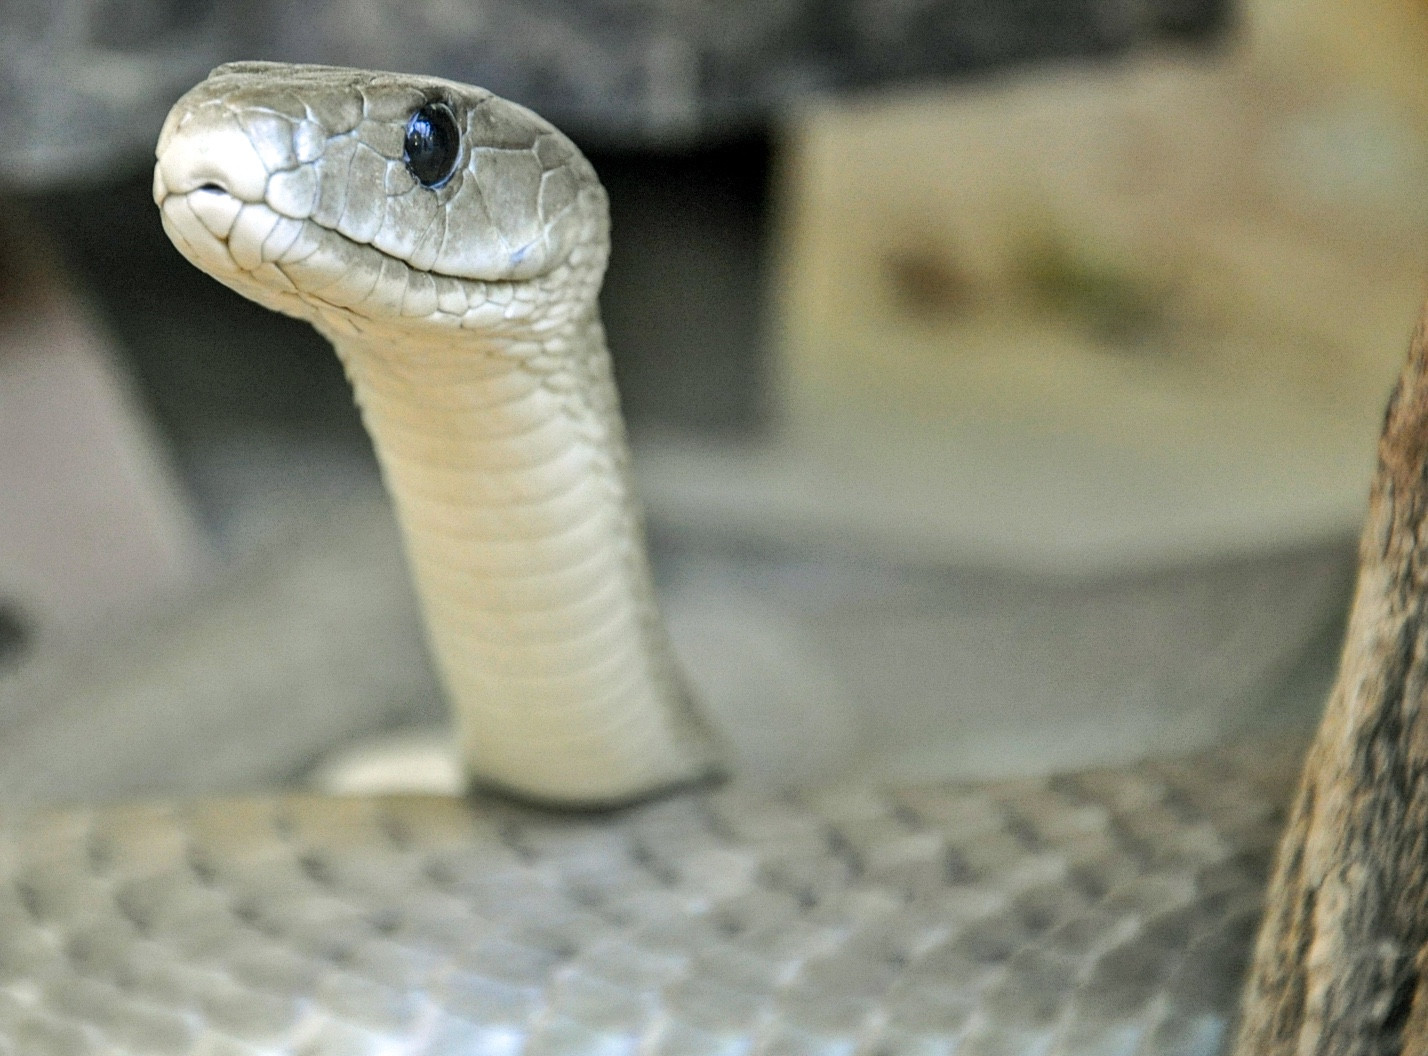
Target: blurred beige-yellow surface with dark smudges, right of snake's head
pixel 1152 309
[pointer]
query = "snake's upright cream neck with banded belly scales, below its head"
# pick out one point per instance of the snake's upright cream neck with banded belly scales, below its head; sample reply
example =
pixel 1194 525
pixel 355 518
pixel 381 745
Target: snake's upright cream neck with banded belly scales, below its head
pixel 508 464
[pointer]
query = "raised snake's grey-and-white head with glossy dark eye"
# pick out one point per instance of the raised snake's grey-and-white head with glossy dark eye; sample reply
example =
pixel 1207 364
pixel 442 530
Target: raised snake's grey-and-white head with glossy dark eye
pixel 352 199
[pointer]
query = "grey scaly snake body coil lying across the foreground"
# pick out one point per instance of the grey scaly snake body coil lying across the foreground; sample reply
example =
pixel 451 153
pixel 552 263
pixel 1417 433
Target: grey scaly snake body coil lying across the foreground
pixel 1109 912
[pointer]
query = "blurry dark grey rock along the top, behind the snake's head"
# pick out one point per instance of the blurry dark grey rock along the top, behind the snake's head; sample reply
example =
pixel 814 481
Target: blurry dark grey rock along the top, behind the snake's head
pixel 86 84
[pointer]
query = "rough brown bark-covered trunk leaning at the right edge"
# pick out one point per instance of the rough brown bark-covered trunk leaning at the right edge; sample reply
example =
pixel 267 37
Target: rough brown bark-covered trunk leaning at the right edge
pixel 1340 964
